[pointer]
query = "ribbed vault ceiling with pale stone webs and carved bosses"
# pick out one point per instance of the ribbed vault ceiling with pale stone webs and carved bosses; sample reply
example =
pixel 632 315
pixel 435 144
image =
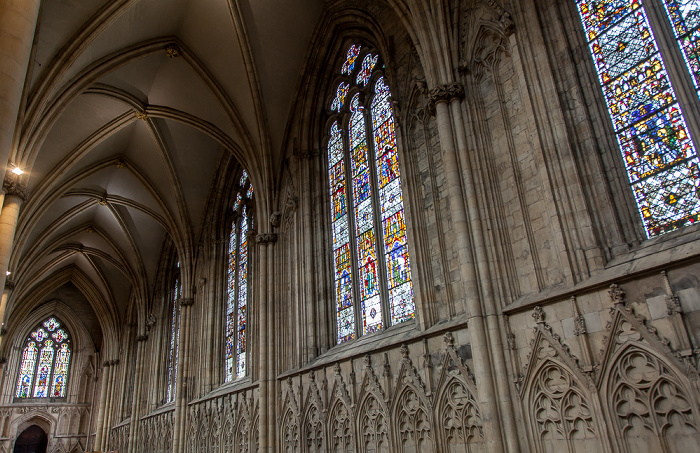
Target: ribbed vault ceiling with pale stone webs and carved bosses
pixel 130 108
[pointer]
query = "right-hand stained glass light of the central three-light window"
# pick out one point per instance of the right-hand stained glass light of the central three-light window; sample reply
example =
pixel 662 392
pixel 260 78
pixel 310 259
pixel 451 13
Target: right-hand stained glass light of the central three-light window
pixel 398 267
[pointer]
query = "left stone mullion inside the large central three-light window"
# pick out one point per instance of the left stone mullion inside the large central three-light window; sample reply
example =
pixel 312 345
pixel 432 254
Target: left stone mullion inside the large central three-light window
pixel 352 234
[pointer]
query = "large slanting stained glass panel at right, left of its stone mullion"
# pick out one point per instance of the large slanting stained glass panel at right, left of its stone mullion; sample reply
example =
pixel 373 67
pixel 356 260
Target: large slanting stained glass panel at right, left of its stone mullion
pixel 656 147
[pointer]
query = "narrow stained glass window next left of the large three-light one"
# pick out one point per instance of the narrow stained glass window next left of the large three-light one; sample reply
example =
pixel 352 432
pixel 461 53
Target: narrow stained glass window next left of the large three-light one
pixel 237 300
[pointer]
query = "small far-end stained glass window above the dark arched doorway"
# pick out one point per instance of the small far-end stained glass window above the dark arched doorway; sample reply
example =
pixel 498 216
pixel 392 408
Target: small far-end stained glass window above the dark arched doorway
pixel 43 369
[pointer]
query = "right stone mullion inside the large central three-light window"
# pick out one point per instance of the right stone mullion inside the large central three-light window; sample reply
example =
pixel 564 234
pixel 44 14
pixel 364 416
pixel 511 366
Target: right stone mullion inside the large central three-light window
pixel 377 214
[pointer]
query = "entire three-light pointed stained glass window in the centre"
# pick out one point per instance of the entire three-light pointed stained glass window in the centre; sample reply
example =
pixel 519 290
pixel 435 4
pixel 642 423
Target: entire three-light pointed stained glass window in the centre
pixel 370 252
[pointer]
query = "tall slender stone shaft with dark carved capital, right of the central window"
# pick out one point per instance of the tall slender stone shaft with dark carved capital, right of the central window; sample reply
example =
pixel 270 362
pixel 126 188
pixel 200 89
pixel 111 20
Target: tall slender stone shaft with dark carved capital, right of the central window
pixel 441 97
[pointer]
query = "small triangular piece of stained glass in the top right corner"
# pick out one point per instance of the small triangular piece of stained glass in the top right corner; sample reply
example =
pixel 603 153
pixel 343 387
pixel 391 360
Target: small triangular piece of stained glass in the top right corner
pixel 685 18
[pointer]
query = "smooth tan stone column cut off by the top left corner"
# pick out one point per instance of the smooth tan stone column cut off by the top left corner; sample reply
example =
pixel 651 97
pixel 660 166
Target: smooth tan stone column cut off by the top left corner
pixel 18 20
